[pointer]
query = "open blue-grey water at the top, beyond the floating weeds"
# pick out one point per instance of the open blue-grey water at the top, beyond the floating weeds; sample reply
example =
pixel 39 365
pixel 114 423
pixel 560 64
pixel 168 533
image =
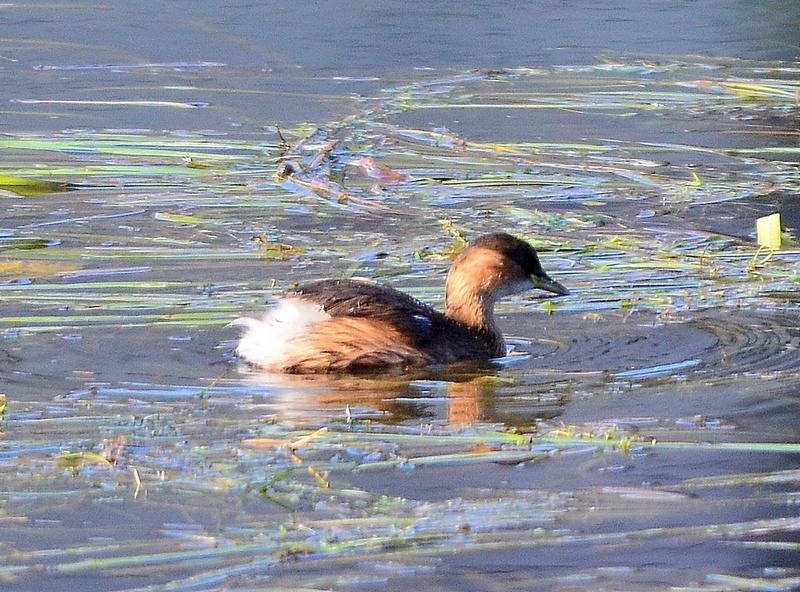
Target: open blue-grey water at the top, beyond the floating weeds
pixel 311 49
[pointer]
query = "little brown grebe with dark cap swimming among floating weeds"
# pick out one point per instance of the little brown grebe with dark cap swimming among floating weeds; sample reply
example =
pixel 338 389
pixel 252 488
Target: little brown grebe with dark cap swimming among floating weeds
pixel 352 325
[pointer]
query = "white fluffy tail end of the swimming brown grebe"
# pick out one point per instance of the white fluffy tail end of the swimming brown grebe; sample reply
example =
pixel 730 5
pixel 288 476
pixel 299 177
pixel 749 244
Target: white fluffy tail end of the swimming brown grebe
pixel 266 340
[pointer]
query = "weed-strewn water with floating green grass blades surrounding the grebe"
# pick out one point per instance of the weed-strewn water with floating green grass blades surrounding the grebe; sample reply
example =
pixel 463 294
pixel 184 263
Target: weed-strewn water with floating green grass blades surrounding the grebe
pixel 642 198
